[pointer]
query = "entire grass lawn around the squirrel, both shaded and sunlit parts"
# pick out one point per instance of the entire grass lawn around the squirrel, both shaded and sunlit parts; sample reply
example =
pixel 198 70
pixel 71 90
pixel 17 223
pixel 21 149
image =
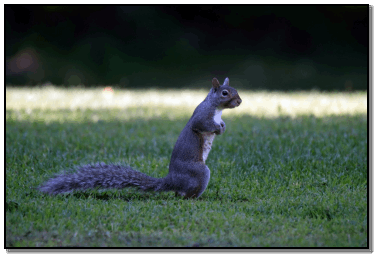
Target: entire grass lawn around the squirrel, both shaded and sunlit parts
pixel 291 169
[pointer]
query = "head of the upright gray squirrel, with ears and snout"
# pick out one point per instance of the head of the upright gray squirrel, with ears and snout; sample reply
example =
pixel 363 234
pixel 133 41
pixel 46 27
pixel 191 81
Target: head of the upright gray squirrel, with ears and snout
pixel 224 95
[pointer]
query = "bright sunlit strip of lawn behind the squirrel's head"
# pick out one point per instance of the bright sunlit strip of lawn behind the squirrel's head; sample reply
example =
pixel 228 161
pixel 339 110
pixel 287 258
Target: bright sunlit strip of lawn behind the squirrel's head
pixel 180 102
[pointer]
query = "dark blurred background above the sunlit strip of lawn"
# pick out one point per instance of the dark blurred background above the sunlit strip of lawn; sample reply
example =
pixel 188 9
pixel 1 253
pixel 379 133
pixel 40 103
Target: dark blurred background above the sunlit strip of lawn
pixel 274 48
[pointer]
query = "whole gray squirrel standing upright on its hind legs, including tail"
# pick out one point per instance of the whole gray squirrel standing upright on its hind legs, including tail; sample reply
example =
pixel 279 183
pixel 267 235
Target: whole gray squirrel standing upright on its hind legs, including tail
pixel 188 174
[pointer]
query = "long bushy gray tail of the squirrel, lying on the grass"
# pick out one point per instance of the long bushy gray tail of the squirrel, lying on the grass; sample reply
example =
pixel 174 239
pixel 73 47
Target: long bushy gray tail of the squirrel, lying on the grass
pixel 102 176
